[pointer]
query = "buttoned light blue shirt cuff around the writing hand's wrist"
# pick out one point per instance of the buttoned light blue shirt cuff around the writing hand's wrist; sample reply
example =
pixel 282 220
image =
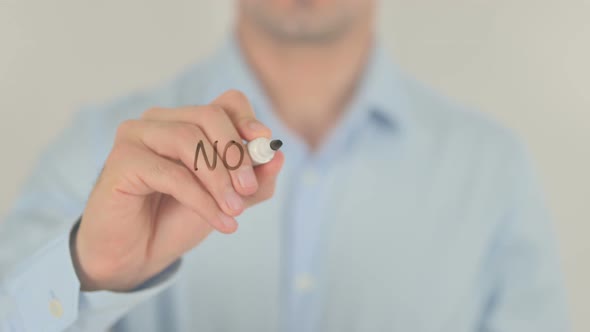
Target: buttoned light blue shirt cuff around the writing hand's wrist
pixel 45 293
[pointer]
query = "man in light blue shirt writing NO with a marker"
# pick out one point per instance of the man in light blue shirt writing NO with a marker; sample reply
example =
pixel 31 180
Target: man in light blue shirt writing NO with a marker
pixel 395 210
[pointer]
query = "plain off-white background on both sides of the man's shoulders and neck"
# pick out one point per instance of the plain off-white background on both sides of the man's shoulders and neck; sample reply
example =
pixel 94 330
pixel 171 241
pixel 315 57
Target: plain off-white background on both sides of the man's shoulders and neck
pixel 526 62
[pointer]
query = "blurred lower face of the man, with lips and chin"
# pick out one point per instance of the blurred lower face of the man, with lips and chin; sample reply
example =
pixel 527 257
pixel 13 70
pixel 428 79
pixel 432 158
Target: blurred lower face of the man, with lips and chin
pixel 305 20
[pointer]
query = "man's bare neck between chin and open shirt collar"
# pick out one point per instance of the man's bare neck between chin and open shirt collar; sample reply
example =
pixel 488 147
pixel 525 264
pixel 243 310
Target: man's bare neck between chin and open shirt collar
pixel 309 85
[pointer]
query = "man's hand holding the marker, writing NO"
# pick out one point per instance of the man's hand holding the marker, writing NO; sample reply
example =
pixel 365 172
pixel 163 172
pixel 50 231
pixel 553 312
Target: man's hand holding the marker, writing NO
pixel 150 206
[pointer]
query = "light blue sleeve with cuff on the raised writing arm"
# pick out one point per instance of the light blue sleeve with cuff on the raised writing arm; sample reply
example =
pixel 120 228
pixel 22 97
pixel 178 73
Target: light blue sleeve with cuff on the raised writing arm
pixel 39 289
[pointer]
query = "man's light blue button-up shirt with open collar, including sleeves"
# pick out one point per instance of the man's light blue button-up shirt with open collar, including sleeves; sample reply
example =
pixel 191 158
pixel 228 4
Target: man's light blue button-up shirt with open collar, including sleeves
pixel 414 215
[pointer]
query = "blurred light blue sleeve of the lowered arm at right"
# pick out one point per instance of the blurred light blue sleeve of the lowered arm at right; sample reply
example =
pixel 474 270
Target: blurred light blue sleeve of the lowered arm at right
pixel 528 292
